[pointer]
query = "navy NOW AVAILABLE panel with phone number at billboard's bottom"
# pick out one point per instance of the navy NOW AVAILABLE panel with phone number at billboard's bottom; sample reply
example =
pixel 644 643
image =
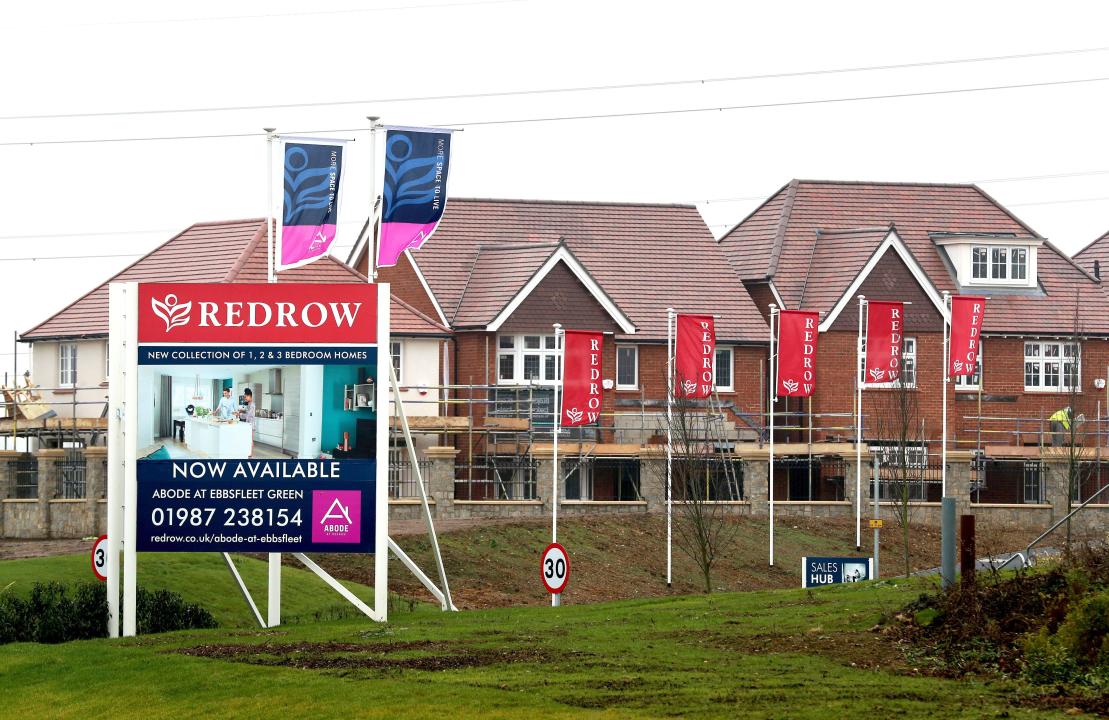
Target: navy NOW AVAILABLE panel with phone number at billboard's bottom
pixel 257 506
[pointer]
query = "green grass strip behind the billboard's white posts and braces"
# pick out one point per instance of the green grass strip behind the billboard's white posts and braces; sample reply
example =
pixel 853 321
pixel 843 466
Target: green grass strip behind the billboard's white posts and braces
pixel 204 579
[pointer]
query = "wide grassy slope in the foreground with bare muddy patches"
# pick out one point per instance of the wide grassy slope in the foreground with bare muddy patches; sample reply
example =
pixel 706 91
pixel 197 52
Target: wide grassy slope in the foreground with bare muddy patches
pixel 770 654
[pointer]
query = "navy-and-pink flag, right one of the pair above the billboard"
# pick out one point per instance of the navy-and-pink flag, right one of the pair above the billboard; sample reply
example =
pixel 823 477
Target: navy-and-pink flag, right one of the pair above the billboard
pixel 415 195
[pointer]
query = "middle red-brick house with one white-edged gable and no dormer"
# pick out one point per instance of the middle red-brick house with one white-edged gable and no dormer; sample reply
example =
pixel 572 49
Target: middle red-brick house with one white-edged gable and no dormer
pixel 501 272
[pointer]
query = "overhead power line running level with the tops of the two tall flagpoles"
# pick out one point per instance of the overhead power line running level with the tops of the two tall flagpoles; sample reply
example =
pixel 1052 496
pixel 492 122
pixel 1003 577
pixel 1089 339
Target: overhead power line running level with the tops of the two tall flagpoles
pixel 791 104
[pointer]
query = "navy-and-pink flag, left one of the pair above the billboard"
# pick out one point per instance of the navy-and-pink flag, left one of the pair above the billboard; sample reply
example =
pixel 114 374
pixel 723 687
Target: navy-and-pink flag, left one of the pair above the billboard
pixel 311 207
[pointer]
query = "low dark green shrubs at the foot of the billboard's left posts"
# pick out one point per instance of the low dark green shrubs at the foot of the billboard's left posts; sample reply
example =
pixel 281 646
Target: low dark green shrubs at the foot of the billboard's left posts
pixel 54 613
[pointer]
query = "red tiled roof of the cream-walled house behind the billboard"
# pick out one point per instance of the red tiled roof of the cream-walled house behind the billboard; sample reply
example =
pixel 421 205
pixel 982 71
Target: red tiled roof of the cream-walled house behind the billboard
pixel 218 252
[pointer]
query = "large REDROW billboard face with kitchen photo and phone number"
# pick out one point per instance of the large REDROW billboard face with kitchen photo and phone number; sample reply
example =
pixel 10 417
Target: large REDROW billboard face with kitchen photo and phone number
pixel 259 418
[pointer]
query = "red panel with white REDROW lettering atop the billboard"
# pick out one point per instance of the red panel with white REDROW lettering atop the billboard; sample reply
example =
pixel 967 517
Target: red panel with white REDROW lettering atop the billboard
pixel 342 313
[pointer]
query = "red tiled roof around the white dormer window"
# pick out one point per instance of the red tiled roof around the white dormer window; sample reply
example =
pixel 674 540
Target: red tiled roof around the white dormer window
pixel 792 238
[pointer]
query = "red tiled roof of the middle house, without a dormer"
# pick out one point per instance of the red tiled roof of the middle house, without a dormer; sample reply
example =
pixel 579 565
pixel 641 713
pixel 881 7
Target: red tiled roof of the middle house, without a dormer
pixel 646 258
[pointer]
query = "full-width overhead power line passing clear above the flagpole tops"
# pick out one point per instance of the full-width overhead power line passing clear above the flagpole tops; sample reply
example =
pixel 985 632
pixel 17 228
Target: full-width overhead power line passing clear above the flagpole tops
pixel 510 94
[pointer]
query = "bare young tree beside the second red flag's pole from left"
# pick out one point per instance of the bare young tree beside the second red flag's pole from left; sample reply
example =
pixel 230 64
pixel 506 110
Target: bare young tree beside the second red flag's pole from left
pixel 701 478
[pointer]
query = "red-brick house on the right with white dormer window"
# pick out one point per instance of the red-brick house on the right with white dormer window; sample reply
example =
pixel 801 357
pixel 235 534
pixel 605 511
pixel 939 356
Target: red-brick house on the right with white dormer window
pixel 818 246
